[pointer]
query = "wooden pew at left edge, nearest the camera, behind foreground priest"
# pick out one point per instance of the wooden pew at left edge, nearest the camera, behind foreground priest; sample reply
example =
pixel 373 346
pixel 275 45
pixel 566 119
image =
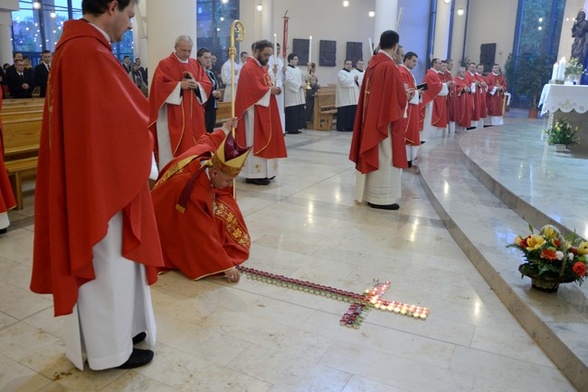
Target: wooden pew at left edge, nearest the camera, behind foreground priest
pixel 21 147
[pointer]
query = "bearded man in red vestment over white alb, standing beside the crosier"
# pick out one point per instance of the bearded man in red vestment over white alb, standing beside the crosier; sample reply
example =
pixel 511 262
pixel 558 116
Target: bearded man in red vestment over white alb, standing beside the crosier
pixel 259 120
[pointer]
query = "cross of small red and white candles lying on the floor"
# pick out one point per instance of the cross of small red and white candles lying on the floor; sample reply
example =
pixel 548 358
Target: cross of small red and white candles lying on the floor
pixel 371 298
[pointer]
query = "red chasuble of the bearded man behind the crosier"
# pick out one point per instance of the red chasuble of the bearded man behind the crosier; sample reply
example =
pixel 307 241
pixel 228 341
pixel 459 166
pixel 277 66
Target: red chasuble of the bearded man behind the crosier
pixel 268 136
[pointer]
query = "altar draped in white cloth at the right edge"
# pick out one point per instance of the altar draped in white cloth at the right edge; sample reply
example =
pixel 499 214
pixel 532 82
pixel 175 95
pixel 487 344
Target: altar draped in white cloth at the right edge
pixel 569 102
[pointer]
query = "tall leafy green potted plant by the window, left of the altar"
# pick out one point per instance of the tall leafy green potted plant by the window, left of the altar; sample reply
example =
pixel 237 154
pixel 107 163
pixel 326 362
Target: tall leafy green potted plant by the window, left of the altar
pixel 533 71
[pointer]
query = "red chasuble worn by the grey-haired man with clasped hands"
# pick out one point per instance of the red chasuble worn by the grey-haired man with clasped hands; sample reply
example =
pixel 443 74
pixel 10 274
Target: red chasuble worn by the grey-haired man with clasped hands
pixel 185 121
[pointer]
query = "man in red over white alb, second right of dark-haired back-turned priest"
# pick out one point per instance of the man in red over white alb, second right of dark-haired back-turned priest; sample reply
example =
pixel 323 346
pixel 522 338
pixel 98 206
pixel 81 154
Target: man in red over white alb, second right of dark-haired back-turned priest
pixel 433 109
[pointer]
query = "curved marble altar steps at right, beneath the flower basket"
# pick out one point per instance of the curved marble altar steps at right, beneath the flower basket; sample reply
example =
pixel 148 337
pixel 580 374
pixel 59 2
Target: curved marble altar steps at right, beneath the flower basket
pixel 482 215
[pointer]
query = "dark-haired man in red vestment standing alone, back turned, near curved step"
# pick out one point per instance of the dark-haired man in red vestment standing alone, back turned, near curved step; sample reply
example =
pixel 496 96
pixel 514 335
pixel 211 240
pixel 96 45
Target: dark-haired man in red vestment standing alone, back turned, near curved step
pixel 378 142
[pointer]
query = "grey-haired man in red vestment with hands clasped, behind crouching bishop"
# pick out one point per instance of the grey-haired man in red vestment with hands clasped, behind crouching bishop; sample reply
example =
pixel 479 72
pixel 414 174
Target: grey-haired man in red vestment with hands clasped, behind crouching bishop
pixel 179 91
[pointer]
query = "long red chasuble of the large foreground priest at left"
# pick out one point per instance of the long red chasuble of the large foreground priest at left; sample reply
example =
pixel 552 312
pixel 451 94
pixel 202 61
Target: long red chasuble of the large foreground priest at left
pixel 94 161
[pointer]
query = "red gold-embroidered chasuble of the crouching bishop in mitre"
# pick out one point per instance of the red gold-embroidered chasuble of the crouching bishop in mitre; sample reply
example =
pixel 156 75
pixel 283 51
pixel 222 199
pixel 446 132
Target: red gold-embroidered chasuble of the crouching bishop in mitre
pixel 210 236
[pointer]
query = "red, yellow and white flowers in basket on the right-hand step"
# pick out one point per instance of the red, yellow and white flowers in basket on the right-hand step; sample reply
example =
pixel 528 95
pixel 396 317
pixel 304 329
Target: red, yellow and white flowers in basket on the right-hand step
pixel 549 255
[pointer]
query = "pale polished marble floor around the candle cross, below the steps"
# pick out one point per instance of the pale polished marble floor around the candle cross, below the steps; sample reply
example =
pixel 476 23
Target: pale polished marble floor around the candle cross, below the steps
pixel 252 336
